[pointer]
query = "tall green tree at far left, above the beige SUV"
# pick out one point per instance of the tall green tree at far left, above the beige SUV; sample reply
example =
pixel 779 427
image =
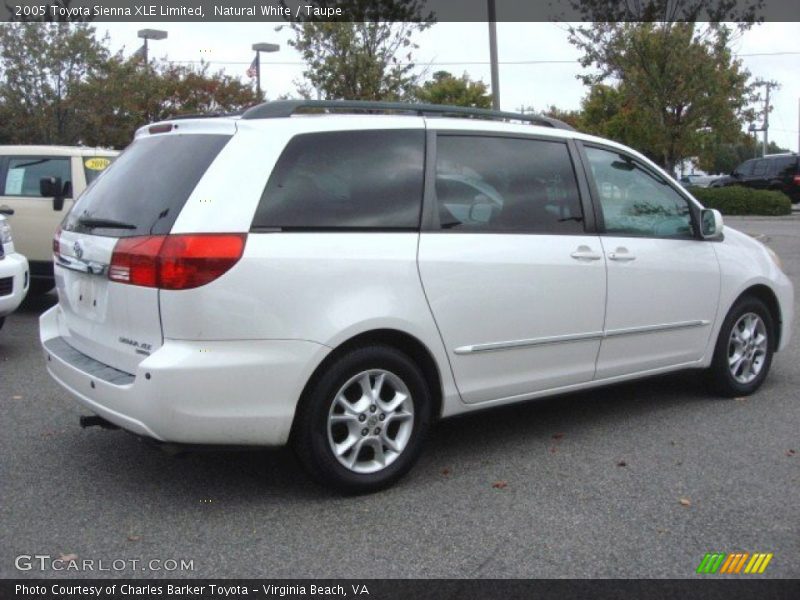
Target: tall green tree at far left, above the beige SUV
pixel 42 64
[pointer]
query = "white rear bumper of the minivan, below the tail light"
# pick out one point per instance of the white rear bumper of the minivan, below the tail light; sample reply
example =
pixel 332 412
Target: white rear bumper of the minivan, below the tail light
pixel 230 392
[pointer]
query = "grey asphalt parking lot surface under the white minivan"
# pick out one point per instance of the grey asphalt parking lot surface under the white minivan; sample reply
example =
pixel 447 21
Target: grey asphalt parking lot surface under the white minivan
pixel 637 480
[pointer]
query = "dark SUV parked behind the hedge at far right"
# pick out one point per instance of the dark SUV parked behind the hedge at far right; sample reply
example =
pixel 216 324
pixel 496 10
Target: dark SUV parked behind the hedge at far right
pixel 780 172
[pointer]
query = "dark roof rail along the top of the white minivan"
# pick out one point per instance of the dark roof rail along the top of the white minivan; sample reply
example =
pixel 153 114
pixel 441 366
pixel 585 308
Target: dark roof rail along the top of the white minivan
pixel 286 108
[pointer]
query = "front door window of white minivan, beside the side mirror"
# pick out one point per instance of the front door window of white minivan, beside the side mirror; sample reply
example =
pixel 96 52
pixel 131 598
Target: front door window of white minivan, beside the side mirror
pixel 636 201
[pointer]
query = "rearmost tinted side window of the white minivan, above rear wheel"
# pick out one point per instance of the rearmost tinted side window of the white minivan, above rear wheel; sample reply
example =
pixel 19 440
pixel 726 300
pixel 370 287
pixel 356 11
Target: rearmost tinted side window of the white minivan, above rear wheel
pixel 346 179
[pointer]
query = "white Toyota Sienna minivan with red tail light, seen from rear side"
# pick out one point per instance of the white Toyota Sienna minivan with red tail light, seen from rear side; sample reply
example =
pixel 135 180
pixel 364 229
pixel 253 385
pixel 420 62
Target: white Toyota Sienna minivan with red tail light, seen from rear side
pixel 319 280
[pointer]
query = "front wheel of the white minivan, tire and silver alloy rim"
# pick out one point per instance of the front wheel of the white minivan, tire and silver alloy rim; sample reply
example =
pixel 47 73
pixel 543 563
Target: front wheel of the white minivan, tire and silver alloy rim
pixel 743 354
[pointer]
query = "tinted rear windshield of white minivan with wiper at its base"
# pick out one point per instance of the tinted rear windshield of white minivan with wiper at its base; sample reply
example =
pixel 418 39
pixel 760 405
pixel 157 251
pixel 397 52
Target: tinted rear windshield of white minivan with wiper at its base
pixel 145 189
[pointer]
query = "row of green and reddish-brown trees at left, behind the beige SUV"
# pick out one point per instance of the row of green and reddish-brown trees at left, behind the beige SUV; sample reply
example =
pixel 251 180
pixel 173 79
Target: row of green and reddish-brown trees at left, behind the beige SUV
pixel 61 86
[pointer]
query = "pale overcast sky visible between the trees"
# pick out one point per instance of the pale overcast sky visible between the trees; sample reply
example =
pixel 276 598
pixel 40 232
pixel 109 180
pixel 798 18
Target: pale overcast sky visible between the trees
pixel 538 65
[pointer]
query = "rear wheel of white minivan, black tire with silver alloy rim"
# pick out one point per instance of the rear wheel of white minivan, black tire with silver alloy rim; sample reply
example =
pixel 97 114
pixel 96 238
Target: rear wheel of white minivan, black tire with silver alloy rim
pixel 361 425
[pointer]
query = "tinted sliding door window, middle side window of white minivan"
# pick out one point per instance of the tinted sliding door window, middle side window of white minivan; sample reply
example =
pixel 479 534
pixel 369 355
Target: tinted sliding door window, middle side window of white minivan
pixel 508 185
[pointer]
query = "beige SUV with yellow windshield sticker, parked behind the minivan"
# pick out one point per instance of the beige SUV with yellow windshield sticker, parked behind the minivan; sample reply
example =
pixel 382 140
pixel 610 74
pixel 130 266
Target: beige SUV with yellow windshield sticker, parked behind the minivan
pixel 37 187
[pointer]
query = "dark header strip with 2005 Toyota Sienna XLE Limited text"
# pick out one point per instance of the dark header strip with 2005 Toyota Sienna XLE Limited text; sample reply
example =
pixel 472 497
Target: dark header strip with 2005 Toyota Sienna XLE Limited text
pixel 440 10
